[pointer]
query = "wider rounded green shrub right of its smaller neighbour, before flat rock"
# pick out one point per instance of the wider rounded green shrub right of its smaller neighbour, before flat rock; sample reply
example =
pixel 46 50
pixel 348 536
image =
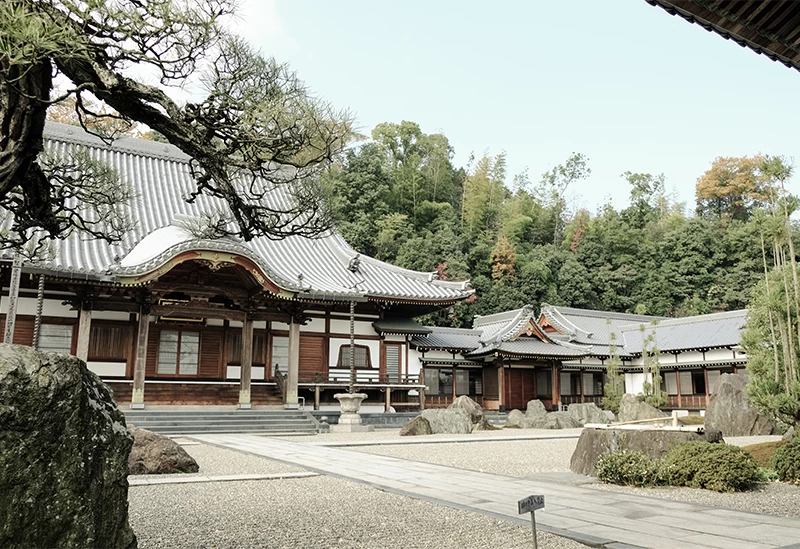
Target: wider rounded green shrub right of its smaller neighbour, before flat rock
pixel 719 467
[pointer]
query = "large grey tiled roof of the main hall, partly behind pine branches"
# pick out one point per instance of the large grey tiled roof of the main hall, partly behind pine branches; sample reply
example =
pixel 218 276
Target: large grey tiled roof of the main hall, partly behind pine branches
pixel 160 179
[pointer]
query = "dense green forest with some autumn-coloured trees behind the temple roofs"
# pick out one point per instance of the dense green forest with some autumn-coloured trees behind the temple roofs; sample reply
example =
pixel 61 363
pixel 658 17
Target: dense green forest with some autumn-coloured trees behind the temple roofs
pixel 398 197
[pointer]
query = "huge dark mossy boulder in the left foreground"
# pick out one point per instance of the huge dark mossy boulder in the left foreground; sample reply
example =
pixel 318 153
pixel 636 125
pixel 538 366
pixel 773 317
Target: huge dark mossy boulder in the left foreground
pixel 63 455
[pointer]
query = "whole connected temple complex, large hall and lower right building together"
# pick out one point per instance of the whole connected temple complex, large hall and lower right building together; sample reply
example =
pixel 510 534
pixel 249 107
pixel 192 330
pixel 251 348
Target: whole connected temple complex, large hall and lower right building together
pixel 170 316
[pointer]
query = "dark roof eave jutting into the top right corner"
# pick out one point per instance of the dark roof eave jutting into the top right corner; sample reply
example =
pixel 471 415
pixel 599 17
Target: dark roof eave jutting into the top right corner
pixel 771 28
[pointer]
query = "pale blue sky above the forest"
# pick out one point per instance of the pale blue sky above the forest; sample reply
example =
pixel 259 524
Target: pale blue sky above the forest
pixel 620 81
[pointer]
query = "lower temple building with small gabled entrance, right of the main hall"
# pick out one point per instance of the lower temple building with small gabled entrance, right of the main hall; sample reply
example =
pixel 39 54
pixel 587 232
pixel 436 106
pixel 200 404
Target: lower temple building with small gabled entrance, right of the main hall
pixel 560 356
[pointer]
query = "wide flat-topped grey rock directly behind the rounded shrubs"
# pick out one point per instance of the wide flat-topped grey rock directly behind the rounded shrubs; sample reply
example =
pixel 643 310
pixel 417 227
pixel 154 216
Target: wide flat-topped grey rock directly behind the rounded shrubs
pixel 593 443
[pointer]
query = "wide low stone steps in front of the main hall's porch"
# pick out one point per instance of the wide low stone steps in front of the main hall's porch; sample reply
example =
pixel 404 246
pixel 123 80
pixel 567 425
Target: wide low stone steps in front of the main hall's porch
pixel 266 422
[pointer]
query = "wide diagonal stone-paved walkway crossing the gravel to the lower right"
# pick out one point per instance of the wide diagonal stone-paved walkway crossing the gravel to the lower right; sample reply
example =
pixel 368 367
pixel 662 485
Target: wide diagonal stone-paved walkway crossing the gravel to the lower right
pixel 596 518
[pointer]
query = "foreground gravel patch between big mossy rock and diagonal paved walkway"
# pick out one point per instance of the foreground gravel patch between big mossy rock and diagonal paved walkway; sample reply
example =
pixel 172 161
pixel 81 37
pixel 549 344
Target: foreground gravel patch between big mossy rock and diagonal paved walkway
pixel 319 512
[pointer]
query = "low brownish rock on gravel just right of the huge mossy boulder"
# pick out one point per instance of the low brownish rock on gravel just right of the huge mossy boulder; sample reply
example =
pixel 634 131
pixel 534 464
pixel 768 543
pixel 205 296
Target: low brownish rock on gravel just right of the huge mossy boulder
pixel 154 454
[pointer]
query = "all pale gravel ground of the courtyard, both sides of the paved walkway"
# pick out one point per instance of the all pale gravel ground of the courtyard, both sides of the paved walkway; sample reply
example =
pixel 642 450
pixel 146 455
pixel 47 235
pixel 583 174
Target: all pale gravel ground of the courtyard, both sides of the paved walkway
pixel 326 512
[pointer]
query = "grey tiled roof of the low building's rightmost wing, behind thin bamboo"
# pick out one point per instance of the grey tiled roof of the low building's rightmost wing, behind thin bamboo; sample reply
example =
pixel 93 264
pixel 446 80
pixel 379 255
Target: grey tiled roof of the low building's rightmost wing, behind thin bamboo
pixel 693 332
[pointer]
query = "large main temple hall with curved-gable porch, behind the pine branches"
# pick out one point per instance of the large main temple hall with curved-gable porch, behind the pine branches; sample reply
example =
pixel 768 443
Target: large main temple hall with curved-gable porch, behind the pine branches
pixel 169 317
